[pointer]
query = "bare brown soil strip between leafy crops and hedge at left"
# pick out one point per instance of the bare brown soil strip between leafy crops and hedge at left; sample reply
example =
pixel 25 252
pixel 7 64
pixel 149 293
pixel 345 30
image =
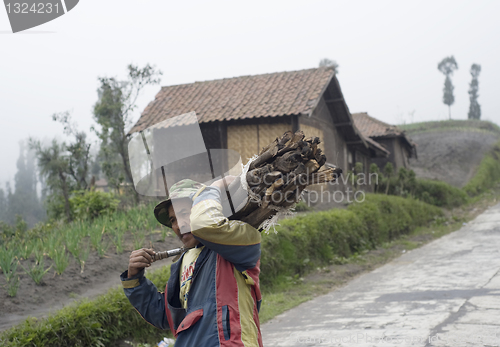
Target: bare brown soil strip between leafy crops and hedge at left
pixel 57 291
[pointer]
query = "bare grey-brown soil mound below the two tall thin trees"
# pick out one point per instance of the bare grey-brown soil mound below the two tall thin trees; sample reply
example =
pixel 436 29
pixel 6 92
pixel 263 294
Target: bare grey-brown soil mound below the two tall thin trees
pixel 451 156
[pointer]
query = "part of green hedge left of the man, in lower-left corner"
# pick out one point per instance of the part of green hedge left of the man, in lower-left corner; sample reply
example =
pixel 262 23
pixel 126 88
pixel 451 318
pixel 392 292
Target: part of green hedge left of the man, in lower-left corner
pixel 98 322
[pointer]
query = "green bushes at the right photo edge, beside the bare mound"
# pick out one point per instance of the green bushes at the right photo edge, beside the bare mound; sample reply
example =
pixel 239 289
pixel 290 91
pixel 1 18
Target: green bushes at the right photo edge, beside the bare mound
pixel 487 175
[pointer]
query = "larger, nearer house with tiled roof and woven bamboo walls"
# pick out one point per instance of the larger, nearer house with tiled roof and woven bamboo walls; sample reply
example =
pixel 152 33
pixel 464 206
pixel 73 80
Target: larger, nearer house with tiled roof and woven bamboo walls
pixel 247 113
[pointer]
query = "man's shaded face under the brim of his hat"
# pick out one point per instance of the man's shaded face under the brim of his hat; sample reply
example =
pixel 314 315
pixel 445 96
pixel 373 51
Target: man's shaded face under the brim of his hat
pixel 180 222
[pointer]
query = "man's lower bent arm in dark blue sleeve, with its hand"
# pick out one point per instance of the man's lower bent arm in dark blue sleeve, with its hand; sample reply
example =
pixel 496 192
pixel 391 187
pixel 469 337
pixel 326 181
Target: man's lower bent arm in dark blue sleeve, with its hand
pixel 141 292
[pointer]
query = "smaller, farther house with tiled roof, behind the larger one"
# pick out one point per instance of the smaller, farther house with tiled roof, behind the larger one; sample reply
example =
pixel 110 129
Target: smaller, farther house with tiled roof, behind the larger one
pixel 395 140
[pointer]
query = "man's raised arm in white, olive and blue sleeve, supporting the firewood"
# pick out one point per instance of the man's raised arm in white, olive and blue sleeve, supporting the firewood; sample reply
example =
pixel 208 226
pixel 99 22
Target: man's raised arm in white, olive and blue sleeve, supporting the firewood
pixel 235 241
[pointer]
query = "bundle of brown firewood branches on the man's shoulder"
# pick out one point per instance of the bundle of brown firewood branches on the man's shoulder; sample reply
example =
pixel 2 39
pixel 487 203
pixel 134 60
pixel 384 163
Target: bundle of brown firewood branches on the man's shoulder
pixel 277 176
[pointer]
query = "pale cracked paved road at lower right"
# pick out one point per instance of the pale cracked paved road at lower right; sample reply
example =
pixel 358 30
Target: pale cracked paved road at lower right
pixel 446 293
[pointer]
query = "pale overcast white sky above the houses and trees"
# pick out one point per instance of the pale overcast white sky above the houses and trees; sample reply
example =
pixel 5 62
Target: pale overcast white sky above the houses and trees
pixel 387 51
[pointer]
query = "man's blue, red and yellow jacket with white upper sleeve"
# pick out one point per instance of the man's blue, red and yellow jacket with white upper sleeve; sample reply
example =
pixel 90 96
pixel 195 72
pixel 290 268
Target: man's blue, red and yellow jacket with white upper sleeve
pixel 224 298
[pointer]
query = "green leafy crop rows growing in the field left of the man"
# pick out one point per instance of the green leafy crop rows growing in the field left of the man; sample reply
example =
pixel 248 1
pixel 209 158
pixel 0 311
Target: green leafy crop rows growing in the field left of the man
pixel 79 238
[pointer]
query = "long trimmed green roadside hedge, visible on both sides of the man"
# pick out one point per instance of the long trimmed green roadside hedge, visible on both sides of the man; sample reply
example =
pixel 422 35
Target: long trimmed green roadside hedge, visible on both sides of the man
pixel 302 243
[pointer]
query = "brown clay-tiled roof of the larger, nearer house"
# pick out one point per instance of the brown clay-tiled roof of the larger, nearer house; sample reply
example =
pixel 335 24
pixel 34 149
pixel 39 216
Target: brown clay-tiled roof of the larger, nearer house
pixel 268 95
